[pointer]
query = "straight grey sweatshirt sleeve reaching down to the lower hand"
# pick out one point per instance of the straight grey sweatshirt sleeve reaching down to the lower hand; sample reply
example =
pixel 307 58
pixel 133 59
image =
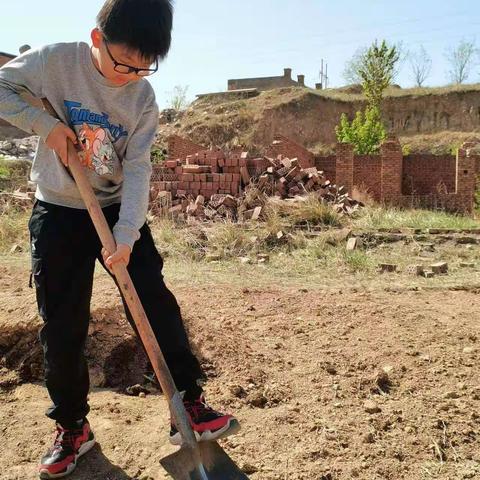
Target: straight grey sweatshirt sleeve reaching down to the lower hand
pixel 137 169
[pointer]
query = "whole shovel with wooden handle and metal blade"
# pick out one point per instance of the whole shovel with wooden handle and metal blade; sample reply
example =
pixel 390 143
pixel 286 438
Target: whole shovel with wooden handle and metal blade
pixel 195 460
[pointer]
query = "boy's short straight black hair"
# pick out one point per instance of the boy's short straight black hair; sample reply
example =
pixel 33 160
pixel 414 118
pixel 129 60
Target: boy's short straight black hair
pixel 142 25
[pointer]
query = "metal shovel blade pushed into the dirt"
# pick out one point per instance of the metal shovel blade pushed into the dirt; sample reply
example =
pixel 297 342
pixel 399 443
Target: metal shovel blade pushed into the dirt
pixel 214 464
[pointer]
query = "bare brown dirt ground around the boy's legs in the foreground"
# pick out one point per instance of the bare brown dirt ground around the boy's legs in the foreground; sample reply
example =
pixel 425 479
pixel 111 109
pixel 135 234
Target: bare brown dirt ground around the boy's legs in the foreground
pixel 327 383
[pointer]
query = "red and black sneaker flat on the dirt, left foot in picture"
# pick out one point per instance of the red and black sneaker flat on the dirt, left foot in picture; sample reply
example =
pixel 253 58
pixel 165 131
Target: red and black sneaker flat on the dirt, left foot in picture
pixel 69 445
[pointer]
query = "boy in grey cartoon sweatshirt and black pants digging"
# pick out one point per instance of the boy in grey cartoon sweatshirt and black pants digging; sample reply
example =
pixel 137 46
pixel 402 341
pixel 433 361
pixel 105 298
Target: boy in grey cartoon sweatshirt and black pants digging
pixel 108 109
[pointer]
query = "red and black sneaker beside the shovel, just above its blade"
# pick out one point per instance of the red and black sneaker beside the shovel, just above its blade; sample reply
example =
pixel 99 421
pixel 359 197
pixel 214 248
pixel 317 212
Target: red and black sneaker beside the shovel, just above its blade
pixel 207 424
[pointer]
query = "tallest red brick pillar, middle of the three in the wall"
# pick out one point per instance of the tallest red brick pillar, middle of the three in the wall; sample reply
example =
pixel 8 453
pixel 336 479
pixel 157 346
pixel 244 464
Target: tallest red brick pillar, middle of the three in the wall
pixel 392 170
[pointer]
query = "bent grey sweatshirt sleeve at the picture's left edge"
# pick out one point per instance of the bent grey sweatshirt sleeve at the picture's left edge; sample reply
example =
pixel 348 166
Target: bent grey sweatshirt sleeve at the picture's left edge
pixel 25 74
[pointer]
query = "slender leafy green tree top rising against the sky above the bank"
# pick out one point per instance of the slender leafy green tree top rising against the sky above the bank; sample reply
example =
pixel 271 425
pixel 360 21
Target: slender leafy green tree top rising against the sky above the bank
pixel 378 70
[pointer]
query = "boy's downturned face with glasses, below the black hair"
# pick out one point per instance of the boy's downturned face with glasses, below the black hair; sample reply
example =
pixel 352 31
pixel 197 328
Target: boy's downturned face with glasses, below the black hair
pixel 110 55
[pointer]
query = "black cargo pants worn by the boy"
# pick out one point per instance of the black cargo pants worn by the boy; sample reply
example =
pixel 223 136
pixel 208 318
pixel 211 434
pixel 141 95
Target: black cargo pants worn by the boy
pixel 65 247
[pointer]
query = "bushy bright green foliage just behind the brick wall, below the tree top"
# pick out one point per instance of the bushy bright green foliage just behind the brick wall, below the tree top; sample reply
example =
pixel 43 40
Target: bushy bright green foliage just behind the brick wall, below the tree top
pixel 366 132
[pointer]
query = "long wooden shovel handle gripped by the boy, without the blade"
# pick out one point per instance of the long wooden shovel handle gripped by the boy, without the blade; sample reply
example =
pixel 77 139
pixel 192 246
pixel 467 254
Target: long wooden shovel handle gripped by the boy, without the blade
pixel 129 292
